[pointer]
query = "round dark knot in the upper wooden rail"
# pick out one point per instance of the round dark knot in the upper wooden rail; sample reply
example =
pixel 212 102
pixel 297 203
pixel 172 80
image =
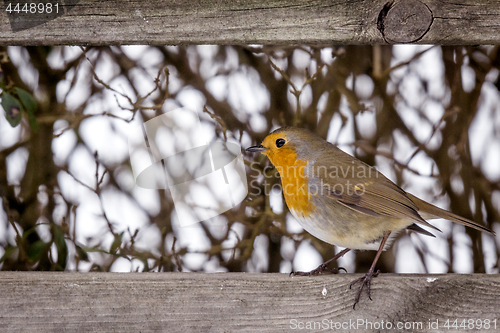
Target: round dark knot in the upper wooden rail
pixel 405 21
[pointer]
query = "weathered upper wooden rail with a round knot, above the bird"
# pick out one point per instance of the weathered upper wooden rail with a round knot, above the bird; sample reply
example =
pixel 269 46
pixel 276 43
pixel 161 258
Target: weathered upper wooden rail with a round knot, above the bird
pixel 92 22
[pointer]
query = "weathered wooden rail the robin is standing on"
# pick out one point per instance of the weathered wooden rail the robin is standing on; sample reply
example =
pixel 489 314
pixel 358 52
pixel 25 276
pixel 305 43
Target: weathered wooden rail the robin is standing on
pixel 230 302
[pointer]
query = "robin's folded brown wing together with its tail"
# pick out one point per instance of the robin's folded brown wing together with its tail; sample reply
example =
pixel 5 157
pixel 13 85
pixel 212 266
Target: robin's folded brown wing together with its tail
pixel 372 193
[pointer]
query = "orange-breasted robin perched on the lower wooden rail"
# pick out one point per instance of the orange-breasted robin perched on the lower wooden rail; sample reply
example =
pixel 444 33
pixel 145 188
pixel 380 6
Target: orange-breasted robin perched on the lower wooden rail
pixel 344 201
